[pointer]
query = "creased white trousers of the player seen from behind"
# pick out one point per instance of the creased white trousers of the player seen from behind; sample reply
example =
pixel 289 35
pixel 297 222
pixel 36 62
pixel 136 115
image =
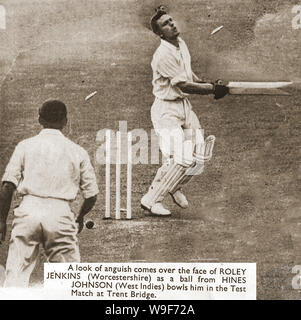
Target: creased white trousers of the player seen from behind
pixel 45 221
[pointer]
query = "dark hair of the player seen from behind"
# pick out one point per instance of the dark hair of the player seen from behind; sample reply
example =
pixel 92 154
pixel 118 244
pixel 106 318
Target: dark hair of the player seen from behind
pixel 53 111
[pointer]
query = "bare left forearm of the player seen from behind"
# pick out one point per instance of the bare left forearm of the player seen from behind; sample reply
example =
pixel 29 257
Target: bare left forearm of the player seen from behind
pixel 6 195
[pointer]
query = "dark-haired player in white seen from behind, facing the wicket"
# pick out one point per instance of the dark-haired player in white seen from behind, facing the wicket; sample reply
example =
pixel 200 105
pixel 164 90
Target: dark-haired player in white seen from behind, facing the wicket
pixel 47 170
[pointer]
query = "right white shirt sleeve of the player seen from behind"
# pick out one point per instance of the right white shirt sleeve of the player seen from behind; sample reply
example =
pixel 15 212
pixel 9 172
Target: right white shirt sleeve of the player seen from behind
pixel 88 183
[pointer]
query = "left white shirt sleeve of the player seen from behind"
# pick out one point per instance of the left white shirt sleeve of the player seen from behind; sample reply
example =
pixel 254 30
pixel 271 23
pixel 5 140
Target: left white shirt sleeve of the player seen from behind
pixel 14 170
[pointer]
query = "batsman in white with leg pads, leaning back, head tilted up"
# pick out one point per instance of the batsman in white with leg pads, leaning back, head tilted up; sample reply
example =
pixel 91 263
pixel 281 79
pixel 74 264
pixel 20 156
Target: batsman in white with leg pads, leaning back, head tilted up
pixel 180 136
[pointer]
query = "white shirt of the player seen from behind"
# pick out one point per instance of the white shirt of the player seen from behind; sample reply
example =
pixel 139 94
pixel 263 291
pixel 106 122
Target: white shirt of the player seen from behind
pixel 49 165
